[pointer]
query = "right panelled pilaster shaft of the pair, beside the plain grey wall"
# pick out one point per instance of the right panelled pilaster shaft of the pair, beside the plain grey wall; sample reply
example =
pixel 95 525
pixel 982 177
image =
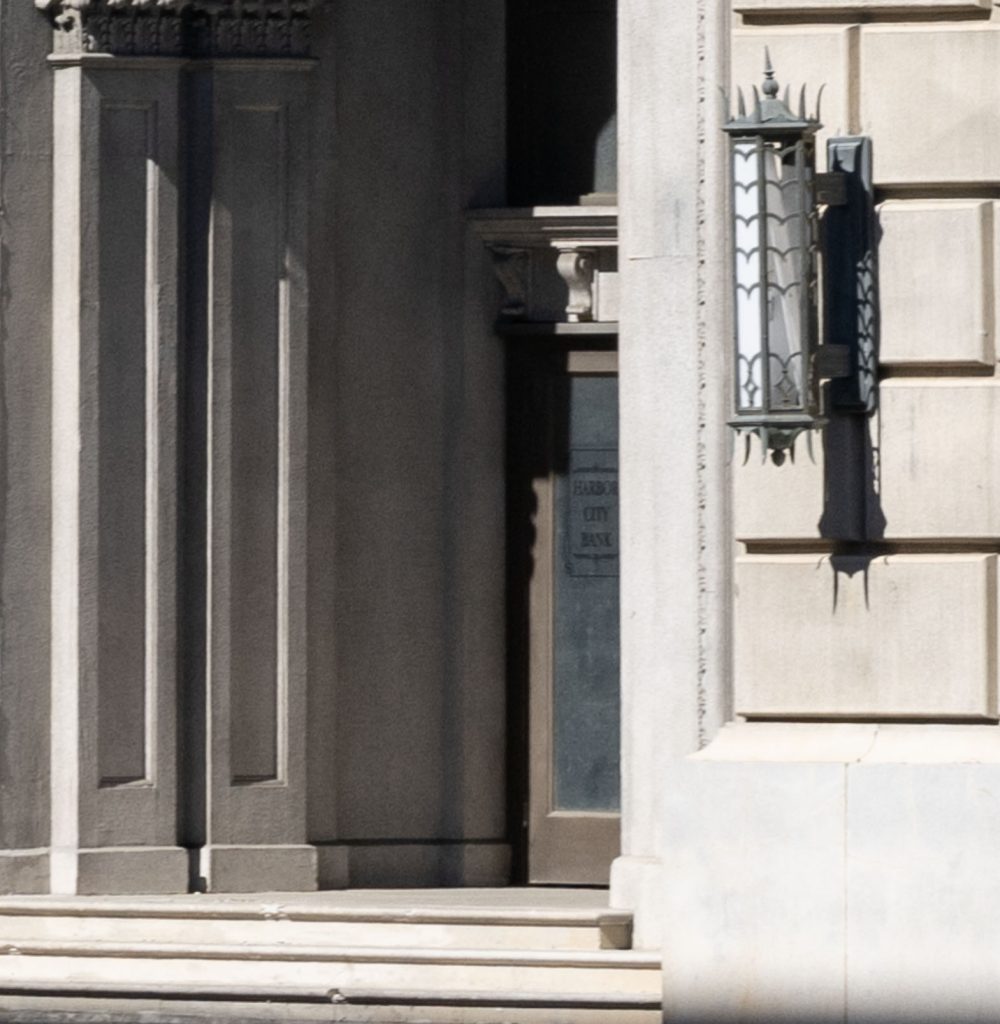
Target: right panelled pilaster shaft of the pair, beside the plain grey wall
pixel 253 139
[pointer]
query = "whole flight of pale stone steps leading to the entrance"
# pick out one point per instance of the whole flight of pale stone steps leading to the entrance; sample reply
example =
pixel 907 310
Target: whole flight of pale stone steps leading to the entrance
pixel 376 952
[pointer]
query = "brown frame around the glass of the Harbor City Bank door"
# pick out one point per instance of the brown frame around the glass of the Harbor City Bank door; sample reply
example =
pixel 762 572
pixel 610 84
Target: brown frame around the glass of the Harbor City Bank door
pixel 551 846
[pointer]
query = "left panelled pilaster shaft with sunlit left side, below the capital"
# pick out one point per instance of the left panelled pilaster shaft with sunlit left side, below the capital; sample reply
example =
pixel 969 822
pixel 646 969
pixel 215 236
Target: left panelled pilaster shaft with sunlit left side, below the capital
pixel 115 343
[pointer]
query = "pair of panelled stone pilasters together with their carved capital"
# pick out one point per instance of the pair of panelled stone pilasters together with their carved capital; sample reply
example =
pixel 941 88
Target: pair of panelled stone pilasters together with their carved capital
pixel 137 88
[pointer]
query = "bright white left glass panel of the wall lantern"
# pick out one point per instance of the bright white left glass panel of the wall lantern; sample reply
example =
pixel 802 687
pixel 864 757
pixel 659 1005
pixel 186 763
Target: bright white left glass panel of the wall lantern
pixel 750 333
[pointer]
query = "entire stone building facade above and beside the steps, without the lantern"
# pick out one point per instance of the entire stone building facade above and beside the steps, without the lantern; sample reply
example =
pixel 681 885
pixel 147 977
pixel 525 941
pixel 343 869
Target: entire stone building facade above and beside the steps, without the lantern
pixel 276 277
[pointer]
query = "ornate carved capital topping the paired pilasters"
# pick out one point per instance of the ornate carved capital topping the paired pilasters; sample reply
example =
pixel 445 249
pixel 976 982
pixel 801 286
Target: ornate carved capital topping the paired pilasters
pixel 249 29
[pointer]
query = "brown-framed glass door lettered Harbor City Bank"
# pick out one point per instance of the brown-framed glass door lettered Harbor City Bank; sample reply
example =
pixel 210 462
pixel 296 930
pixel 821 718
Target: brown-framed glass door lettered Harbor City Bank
pixel 573 625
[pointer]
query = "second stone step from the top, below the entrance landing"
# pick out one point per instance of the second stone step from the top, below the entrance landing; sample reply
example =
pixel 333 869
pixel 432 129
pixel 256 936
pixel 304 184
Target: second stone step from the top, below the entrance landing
pixel 329 968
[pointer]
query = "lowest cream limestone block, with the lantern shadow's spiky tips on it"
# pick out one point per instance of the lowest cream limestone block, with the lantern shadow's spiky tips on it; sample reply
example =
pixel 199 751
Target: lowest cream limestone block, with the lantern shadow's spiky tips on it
pixel 811 636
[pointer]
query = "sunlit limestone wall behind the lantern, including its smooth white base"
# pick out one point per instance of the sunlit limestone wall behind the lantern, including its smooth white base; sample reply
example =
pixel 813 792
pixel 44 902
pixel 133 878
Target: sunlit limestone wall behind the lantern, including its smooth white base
pixel 833 871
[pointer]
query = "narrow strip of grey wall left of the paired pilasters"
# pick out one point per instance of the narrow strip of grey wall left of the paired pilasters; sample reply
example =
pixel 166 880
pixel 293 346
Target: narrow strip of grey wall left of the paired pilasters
pixel 25 431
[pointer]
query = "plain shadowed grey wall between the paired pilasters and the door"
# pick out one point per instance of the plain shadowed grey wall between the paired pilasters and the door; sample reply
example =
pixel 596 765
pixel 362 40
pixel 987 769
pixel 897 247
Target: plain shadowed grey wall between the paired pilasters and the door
pixel 407 606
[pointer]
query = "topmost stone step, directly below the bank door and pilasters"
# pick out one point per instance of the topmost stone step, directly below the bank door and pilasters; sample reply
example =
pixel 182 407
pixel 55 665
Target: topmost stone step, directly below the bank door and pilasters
pixel 215 921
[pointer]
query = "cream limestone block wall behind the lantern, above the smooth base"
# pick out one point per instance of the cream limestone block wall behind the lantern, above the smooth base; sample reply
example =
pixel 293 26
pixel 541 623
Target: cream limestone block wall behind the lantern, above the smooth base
pixel 880 630
